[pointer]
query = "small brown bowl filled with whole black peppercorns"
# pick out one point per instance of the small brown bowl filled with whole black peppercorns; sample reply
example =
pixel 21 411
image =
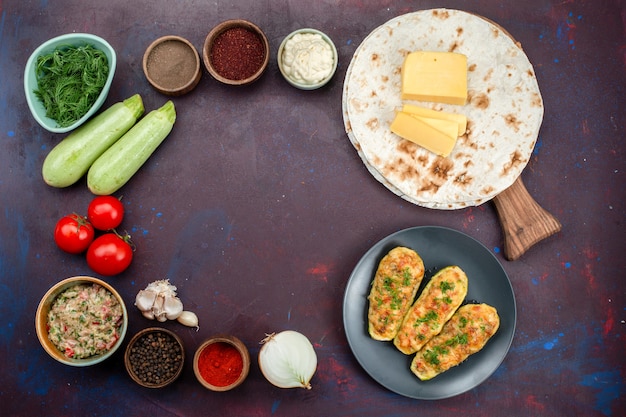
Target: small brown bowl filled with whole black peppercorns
pixel 154 357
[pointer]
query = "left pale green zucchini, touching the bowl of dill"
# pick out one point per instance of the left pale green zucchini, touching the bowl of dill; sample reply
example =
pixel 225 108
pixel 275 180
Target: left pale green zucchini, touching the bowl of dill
pixel 70 159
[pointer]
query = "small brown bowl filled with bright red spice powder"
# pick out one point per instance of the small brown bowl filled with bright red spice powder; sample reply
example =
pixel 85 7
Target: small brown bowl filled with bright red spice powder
pixel 221 363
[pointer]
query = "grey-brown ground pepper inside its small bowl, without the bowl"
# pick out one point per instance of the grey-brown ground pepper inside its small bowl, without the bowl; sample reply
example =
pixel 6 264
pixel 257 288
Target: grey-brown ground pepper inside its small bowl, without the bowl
pixel 171 64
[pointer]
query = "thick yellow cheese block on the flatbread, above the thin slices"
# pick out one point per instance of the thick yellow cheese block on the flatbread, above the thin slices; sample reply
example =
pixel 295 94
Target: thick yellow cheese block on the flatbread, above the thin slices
pixel 435 76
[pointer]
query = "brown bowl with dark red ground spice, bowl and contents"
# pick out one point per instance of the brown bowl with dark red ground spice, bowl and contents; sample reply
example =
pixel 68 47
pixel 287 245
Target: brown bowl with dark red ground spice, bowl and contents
pixel 236 52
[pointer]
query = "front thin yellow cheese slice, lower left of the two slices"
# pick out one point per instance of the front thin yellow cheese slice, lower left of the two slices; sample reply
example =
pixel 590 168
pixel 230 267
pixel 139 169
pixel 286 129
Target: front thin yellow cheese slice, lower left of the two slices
pixel 423 134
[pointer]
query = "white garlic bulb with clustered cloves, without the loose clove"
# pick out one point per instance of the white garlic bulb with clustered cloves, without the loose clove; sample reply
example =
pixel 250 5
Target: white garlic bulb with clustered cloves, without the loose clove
pixel 159 301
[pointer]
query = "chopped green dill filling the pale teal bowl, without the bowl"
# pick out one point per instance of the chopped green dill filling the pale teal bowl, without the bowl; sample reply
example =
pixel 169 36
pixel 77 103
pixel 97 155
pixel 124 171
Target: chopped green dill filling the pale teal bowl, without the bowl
pixel 69 81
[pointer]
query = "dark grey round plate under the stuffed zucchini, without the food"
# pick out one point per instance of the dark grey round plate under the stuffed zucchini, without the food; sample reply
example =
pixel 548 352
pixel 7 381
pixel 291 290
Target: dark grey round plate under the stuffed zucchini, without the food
pixel 488 283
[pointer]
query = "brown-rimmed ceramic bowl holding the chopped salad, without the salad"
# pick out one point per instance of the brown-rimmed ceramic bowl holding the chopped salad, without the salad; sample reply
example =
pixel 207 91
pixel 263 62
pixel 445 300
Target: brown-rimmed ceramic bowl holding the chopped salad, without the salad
pixel 41 321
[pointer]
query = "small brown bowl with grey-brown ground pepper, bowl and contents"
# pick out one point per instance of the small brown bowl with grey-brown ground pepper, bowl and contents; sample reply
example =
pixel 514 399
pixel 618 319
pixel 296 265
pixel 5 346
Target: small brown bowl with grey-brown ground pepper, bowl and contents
pixel 172 65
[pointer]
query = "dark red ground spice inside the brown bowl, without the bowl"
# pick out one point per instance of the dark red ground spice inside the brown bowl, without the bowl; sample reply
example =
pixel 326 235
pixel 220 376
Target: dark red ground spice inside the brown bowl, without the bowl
pixel 237 53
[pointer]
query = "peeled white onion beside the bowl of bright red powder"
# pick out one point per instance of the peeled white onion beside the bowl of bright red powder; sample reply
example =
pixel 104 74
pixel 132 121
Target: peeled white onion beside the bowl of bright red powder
pixel 288 360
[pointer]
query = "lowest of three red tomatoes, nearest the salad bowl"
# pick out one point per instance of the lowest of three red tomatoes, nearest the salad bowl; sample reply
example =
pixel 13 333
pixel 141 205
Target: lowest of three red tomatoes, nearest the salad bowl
pixel 110 254
